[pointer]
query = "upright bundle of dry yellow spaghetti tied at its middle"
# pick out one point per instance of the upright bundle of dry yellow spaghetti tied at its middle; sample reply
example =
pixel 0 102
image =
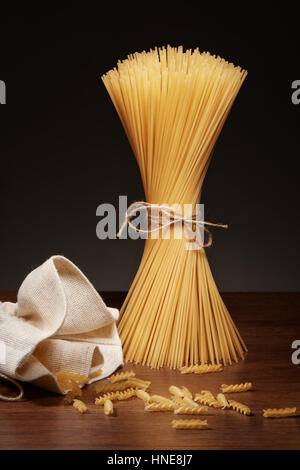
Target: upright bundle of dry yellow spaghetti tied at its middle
pixel 173 105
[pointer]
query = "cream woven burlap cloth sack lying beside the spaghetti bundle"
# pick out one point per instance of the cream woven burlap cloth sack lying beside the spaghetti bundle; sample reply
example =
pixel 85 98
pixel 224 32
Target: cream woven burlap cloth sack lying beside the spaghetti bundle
pixel 59 323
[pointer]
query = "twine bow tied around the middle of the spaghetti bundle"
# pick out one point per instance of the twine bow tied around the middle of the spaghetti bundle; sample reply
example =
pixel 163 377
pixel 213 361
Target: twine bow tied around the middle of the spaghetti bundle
pixel 173 217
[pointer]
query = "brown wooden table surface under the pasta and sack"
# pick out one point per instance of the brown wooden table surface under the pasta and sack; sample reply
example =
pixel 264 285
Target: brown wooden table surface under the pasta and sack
pixel 269 323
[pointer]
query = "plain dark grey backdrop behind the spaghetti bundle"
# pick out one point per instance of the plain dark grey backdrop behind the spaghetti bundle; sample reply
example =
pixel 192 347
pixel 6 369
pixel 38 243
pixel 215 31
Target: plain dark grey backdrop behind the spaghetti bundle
pixel 64 152
